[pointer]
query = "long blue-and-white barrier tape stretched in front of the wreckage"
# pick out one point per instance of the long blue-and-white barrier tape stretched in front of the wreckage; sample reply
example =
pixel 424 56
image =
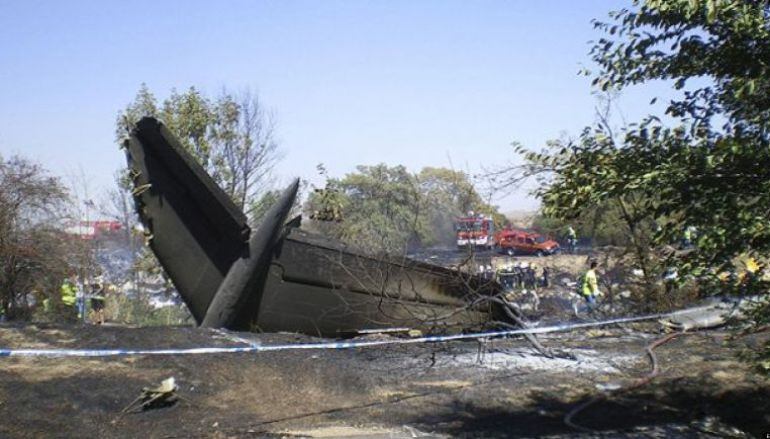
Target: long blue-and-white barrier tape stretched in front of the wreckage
pixel 254 347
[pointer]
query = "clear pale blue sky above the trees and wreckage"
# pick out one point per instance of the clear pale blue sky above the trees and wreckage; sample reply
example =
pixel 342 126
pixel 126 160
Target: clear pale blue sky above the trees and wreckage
pixel 419 83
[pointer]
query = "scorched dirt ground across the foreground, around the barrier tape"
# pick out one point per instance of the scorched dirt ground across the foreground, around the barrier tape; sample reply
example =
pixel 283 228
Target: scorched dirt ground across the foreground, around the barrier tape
pixel 457 389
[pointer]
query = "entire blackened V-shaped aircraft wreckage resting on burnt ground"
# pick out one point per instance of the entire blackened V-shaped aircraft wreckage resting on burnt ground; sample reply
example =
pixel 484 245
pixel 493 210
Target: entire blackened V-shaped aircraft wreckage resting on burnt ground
pixel 278 277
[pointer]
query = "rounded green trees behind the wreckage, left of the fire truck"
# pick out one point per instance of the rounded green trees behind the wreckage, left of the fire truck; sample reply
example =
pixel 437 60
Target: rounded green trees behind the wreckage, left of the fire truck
pixel 388 209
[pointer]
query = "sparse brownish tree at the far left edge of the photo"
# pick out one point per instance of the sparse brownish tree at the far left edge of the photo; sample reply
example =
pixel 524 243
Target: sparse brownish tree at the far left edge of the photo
pixel 34 253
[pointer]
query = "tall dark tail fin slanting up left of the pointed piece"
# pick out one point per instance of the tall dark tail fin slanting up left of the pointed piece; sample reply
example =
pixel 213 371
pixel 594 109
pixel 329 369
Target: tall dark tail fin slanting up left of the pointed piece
pixel 193 227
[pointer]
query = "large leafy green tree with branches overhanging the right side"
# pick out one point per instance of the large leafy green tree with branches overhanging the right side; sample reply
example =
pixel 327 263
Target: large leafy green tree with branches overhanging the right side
pixel 710 169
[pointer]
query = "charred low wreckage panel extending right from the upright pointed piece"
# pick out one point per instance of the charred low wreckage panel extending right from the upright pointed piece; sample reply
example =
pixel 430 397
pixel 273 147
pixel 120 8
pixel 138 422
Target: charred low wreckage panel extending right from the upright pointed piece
pixel 326 289
